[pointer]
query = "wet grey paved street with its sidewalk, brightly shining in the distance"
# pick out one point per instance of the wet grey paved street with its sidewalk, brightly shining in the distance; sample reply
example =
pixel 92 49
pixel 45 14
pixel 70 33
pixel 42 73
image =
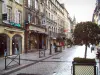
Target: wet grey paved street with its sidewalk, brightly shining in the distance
pixel 55 64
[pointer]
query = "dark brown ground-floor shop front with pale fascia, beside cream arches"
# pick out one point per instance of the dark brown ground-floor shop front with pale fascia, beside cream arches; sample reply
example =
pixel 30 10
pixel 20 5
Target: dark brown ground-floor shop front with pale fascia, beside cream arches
pixel 35 38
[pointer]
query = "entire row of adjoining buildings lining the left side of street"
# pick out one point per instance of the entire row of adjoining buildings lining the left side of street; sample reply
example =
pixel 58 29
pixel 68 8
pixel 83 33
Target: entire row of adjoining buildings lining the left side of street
pixel 30 25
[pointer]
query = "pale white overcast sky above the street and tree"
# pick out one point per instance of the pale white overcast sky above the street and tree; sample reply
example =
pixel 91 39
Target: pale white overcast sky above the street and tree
pixel 82 9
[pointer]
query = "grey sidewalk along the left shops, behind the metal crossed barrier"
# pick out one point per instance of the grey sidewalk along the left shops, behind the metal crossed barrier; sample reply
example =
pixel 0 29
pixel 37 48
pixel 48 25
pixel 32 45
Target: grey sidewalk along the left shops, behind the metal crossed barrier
pixel 25 60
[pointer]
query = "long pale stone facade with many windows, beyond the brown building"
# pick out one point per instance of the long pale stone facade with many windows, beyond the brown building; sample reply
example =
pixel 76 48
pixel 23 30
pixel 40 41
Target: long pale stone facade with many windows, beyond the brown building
pixel 55 19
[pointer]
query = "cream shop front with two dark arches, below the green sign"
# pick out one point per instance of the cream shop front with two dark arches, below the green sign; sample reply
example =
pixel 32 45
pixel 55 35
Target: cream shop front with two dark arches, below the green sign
pixel 11 38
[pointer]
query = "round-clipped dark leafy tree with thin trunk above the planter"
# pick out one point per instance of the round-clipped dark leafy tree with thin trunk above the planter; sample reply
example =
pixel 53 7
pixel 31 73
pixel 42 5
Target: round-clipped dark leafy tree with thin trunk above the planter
pixel 86 33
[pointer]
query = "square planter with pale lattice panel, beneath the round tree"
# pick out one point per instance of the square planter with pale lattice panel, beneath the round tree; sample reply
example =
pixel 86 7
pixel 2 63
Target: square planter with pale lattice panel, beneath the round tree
pixel 82 66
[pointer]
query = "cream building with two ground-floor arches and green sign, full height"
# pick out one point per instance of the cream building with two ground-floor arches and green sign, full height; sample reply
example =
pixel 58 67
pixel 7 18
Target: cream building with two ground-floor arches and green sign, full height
pixel 11 27
